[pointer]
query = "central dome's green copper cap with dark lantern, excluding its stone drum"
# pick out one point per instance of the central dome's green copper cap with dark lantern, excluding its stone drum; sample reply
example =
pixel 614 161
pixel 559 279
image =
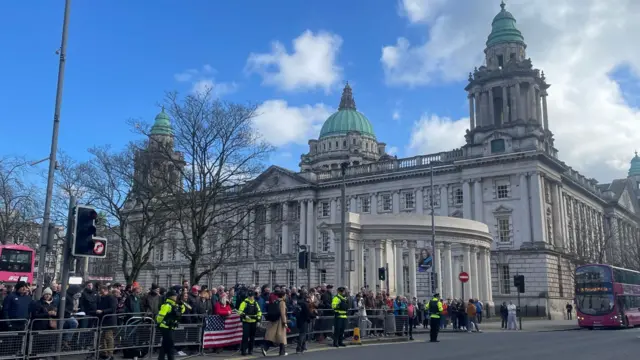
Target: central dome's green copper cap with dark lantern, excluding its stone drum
pixel 347 118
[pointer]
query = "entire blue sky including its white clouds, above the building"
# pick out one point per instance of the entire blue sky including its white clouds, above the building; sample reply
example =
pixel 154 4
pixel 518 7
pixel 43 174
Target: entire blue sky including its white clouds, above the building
pixel 123 55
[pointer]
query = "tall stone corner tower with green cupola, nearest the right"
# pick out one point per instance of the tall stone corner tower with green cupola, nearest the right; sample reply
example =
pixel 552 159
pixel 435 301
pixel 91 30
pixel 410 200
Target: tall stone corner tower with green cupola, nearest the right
pixel 507 96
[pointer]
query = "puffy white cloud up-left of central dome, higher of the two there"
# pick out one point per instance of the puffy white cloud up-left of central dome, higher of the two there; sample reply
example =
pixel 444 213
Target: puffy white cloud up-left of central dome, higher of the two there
pixel 311 64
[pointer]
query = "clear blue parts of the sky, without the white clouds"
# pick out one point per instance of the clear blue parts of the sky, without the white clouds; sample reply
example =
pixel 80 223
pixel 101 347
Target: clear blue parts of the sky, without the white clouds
pixel 122 56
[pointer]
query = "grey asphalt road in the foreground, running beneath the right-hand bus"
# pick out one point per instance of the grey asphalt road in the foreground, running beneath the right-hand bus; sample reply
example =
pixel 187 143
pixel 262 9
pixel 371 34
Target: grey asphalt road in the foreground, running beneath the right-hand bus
pixel 548 345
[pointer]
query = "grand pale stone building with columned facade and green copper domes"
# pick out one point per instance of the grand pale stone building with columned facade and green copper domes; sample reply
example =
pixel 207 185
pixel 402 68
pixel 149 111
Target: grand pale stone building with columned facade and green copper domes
pixel 543 216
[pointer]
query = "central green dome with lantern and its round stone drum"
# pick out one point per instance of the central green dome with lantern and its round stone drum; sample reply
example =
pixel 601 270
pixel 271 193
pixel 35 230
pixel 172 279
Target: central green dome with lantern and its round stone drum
pixel 346 136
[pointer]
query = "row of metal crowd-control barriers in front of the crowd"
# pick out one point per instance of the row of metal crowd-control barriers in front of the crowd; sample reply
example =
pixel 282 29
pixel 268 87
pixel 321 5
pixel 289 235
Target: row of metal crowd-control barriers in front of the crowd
pixel 136 335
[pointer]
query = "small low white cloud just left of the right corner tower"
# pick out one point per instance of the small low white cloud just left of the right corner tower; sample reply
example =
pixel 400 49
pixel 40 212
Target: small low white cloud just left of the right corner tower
pixel 432 134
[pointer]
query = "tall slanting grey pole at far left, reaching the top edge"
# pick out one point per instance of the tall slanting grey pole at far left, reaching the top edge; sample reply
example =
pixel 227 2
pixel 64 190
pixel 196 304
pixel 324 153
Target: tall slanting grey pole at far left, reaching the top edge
pixel 52 156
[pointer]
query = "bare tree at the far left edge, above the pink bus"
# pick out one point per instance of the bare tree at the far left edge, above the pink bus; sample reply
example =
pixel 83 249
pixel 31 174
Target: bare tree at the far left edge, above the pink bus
pixel 19 207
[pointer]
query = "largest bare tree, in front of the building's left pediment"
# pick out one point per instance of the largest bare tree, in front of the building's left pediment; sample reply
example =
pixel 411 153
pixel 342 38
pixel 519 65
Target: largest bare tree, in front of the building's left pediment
pixel 215 152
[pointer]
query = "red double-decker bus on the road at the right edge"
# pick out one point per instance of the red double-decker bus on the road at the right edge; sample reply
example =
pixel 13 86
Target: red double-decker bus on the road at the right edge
pixel 607 296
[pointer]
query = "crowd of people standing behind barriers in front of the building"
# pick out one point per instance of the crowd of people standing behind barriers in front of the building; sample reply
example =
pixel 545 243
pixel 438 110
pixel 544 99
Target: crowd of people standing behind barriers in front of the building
pixel 304 309
